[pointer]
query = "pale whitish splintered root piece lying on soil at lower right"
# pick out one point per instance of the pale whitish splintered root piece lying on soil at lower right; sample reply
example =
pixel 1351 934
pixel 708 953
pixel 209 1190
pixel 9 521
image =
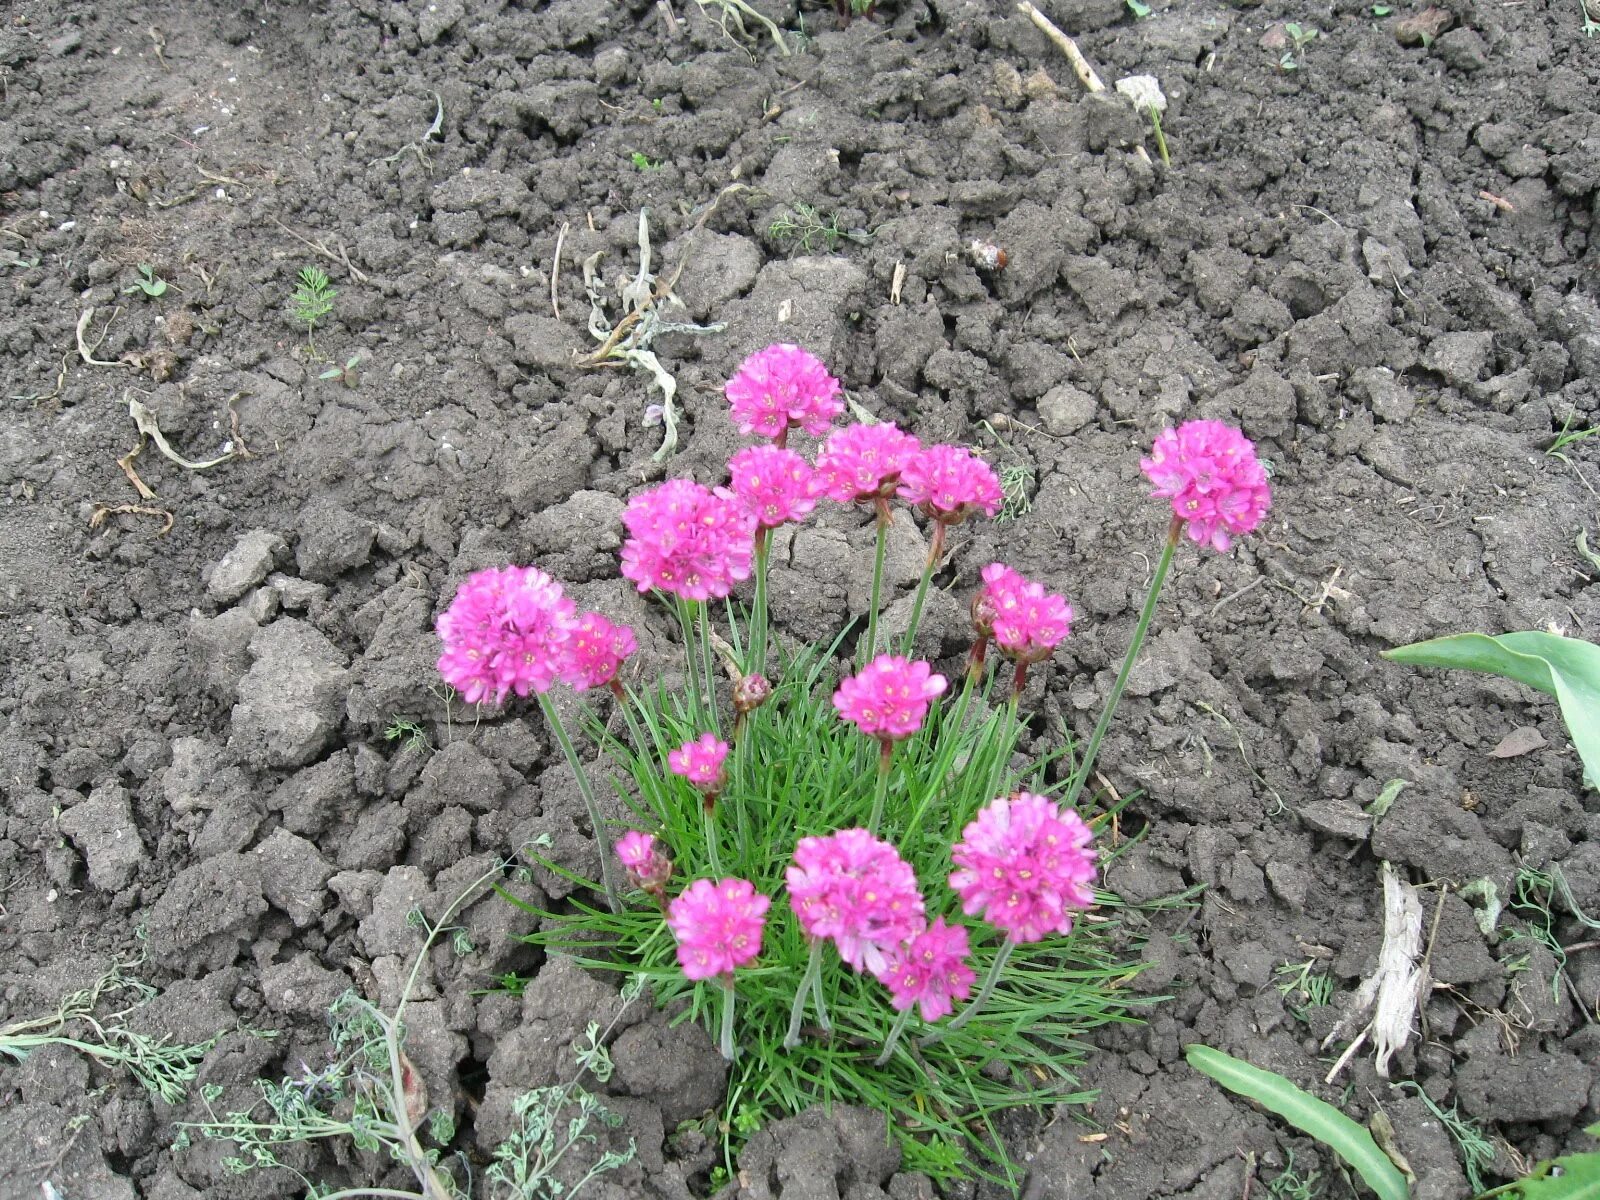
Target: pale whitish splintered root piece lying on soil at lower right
pixel 1394 991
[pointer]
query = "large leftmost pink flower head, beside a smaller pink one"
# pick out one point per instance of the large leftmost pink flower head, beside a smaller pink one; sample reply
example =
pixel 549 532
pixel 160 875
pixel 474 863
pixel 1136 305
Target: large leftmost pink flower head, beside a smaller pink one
pixel 506 631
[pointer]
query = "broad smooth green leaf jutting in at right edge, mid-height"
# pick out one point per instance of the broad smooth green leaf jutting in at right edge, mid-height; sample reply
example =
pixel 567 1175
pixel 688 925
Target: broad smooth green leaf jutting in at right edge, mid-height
pixel 1566 668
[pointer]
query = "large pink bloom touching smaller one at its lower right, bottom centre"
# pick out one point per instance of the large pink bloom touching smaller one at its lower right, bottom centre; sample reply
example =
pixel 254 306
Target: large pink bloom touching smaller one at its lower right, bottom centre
pixel 857 890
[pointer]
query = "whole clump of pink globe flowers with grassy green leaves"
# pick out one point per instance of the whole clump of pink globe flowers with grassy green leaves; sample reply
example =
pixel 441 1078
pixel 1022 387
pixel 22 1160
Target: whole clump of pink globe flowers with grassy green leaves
pixel 743 775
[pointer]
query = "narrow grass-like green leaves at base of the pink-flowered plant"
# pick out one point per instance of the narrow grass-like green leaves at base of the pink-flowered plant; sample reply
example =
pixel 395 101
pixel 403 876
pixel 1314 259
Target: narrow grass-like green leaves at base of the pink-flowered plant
pixel 796 772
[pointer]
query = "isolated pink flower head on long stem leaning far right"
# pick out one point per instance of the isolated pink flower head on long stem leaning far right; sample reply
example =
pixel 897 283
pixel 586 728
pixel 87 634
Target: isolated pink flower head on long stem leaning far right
pixel 1214 478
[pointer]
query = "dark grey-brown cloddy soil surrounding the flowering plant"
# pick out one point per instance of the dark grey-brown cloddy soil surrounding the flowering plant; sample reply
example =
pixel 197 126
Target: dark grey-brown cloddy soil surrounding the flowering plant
pixel 1383 263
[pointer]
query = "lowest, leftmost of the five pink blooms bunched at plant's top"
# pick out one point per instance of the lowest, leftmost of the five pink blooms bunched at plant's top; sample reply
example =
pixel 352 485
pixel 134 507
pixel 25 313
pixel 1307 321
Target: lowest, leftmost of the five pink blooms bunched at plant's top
pixel 687 540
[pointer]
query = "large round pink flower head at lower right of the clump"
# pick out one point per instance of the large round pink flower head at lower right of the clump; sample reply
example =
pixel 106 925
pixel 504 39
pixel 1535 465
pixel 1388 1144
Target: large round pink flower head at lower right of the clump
pixel 1025 866
